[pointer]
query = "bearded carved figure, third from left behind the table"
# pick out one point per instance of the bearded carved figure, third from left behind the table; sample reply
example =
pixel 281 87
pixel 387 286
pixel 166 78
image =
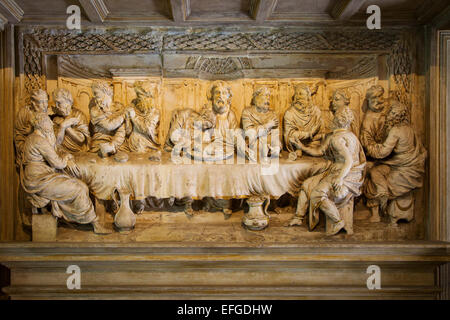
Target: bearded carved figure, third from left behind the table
pixel 108 122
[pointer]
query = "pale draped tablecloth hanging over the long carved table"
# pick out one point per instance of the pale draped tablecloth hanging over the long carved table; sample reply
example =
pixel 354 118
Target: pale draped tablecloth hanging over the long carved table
pixel 144 178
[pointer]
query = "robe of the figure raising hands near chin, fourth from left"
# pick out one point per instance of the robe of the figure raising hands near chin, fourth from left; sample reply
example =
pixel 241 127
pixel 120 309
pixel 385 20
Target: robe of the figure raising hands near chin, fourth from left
pixel 144 134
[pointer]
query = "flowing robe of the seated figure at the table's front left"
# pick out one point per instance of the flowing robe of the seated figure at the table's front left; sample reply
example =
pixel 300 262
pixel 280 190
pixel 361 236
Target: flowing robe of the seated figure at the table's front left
pixel 43 181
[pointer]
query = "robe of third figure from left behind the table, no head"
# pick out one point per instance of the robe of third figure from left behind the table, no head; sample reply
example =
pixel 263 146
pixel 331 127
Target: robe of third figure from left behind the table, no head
pixel 109 127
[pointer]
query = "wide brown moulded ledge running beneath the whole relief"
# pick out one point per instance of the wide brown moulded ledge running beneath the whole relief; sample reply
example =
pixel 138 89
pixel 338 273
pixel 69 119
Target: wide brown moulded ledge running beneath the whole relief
pixel 193 271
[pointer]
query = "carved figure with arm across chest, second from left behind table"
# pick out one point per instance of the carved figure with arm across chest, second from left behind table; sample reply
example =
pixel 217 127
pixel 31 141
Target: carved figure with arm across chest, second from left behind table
pixel 71 125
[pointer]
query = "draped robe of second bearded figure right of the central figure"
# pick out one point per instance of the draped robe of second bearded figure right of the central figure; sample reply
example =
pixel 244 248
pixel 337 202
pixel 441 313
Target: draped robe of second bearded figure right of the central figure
pixel 301 125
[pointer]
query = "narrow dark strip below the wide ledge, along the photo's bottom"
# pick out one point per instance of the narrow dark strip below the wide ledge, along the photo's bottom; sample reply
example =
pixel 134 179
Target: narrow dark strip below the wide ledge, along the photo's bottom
pixel 222 292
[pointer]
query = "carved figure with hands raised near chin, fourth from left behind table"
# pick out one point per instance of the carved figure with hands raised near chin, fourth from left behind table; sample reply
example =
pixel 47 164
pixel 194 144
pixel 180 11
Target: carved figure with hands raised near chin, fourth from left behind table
pixel 143 117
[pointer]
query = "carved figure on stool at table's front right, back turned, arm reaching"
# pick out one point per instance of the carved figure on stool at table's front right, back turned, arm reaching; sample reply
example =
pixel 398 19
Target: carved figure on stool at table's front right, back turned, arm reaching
pixel 340 182
